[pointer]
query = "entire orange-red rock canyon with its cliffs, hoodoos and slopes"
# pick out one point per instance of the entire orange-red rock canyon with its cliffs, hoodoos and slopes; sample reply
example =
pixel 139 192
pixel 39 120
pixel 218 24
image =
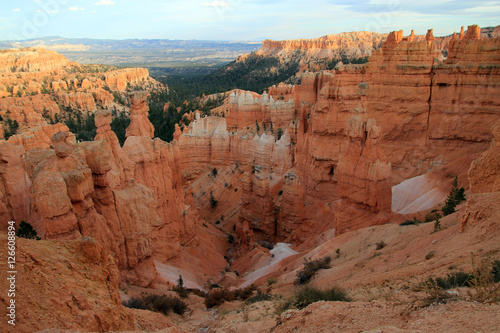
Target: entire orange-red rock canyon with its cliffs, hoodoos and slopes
pixel 333 163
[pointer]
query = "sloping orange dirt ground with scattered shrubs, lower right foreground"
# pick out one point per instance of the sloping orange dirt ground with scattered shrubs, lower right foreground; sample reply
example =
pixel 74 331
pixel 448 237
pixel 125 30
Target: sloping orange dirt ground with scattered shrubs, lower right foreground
pixel 382 284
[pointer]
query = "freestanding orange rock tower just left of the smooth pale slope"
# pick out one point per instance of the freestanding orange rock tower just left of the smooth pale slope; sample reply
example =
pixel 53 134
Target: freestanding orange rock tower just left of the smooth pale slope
pixel 364 178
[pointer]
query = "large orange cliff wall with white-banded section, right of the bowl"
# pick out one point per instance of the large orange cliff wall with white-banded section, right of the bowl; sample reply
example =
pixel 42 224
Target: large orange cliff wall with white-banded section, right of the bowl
pixel 353 133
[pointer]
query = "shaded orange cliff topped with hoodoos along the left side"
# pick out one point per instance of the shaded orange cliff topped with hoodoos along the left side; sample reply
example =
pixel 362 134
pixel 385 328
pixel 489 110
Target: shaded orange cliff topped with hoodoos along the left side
pixel 130 200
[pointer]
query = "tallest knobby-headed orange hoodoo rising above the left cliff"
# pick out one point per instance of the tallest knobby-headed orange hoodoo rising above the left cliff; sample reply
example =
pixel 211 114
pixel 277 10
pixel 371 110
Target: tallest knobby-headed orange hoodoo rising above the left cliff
pixel 139 122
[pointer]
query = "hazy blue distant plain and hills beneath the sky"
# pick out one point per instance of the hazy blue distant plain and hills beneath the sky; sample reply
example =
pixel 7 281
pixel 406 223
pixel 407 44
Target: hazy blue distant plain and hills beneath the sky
pixel 141 52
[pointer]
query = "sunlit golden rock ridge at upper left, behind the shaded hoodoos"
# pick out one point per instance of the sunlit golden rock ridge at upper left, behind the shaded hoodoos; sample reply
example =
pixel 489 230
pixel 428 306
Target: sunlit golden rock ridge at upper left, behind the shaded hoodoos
pixel 43 85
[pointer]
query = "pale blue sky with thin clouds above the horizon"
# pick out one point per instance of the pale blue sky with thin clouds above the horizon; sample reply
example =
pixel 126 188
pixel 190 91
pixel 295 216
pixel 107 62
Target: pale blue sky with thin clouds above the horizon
pixel 236 20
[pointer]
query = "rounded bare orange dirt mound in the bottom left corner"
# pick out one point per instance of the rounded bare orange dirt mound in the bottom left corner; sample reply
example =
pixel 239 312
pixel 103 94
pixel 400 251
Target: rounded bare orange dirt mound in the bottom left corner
pixel 78 283
